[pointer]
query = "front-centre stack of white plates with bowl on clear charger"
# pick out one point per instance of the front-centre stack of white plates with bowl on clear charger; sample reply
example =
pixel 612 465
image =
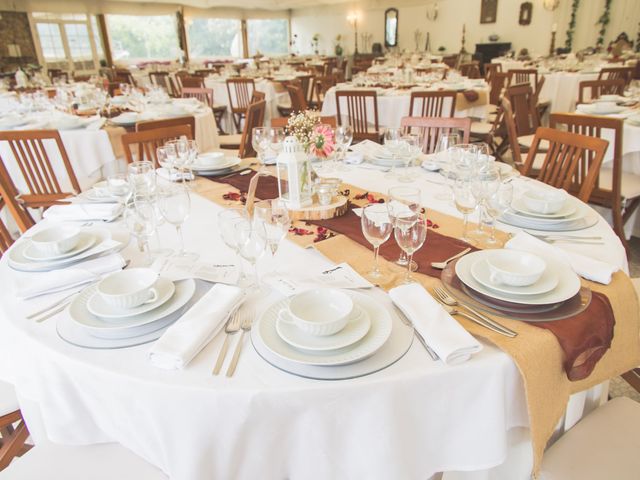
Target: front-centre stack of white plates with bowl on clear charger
pixel 311 333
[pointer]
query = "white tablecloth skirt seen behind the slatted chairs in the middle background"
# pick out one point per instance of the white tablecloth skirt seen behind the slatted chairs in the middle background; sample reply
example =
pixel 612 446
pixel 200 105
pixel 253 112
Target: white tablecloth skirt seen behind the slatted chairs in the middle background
pixel 392 108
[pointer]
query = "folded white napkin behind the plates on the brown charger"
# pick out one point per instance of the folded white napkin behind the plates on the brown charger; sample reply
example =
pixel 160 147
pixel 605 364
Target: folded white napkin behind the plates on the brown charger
pixel 586 267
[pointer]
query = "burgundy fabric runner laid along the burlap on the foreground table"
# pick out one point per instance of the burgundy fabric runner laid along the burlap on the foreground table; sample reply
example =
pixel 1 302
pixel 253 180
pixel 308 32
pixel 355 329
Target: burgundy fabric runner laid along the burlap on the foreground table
pixel 584 337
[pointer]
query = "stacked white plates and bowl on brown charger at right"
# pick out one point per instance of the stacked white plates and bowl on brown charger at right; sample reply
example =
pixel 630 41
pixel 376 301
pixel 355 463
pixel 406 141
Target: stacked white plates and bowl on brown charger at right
pixel 517 284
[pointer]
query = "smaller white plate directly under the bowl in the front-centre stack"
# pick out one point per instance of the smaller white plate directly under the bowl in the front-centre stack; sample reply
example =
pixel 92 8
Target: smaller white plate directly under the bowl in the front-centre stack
pixel 356 328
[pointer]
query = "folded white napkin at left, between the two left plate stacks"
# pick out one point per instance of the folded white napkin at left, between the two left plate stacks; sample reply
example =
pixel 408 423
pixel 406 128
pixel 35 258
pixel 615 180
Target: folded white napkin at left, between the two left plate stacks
pixel 31 285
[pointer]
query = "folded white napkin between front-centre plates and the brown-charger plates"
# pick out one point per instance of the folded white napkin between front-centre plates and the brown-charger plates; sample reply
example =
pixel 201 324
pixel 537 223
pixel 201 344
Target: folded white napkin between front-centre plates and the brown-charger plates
pixel 441 331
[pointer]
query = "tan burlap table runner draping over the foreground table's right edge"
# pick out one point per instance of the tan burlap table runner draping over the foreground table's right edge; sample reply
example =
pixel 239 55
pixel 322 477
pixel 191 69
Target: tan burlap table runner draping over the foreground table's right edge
pixel 536 351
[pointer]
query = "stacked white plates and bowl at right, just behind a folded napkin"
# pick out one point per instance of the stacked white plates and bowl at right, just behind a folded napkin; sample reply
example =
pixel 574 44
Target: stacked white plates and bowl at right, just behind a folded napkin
pixel 540 213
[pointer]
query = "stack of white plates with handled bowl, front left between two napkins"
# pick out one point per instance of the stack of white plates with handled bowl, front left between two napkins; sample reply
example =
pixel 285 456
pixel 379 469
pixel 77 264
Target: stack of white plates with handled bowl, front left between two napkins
pixel 127 308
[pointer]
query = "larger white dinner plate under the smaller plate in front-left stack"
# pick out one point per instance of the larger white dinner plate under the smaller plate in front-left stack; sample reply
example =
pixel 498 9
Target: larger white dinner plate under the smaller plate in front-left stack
pixel 131 326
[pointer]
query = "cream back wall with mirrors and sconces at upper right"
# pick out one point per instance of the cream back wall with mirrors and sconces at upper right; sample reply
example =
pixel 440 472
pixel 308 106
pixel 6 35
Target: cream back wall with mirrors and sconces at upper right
pixel 446 30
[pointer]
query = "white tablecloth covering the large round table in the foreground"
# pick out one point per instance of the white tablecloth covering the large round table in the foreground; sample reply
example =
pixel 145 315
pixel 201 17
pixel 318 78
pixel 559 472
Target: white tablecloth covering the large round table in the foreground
pixel 408 421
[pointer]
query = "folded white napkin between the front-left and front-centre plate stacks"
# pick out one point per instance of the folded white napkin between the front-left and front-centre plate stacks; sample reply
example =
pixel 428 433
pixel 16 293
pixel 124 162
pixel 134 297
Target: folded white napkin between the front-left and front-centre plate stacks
pixel 184 339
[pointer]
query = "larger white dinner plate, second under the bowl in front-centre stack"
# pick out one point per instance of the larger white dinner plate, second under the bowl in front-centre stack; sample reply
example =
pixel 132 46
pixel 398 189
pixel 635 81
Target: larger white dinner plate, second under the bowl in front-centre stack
pixel 378 334
